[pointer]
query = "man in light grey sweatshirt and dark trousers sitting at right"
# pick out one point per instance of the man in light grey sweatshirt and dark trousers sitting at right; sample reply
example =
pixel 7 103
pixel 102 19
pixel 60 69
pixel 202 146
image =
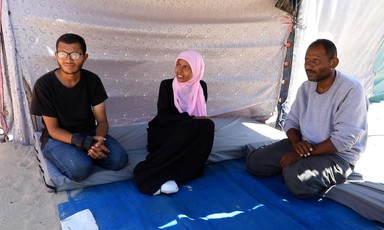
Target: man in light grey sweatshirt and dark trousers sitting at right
pixel 326 128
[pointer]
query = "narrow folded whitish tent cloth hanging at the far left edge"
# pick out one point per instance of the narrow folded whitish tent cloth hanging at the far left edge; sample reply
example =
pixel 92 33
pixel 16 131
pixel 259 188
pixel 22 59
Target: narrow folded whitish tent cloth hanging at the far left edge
pixel 15 110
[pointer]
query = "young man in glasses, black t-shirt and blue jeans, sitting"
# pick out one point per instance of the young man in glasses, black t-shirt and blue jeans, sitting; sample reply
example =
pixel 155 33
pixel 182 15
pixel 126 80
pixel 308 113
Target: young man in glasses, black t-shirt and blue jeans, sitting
pixel 71 101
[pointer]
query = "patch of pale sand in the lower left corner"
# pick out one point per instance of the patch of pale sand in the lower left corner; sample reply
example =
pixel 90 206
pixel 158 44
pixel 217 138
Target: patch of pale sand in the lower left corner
pixel 24 200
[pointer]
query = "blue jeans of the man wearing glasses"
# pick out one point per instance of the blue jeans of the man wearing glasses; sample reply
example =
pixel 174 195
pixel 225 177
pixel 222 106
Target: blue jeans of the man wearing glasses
pixel 75 164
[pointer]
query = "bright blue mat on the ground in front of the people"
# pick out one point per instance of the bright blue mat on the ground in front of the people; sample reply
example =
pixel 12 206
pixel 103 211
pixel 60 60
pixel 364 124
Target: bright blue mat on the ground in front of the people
pixel 226 197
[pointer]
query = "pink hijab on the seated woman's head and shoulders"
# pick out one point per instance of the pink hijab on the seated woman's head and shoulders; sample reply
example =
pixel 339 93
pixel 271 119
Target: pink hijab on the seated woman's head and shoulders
pixel 189 96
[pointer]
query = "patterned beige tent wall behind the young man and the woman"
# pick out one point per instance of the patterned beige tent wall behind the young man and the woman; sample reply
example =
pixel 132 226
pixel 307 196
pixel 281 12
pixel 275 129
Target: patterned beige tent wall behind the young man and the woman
pixel 133 46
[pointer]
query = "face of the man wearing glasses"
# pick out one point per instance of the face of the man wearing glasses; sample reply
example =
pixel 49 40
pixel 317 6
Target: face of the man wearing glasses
pixel 70 57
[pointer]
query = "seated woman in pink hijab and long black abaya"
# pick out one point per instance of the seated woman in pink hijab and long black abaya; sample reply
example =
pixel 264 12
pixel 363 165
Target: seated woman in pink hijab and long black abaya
pixel 180 137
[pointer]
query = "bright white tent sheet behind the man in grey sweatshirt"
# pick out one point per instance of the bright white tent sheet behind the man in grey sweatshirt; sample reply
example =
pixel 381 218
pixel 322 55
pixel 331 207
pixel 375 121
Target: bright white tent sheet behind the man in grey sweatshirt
pixel 355 27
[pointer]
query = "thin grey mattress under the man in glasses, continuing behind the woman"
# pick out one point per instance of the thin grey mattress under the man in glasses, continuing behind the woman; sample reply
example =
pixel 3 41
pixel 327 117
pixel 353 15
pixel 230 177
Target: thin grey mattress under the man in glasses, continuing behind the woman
pixel 232 137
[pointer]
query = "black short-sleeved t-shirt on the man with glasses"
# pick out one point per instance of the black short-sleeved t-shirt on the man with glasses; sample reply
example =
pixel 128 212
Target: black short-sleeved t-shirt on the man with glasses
pixel 71 106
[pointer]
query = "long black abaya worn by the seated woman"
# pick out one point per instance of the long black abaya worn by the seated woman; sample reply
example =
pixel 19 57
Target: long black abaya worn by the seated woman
pixel 178 144
